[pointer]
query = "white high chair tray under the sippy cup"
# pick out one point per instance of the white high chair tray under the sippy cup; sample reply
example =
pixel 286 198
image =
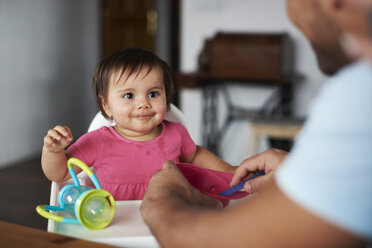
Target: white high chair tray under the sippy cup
pixel 127 229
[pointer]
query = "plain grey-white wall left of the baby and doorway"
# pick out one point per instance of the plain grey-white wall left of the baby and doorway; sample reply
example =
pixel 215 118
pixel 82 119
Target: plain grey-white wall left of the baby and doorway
pixel 48 51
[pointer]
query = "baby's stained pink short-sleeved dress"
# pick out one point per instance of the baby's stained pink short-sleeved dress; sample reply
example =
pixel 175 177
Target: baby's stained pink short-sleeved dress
pixel 124 167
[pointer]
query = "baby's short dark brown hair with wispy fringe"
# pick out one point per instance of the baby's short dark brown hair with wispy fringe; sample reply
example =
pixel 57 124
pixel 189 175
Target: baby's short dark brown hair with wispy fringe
pixel 129 61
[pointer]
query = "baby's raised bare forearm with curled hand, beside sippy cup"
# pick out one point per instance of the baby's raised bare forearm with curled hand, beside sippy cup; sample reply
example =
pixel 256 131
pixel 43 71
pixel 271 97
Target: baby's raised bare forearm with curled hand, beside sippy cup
pixel 54 157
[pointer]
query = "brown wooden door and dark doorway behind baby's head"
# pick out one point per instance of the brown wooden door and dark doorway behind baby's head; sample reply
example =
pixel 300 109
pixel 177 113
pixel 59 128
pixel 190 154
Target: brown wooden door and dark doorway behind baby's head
pixel 150 24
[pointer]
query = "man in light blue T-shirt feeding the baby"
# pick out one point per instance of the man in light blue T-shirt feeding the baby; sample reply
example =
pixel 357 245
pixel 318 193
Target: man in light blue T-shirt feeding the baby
pixel 319 198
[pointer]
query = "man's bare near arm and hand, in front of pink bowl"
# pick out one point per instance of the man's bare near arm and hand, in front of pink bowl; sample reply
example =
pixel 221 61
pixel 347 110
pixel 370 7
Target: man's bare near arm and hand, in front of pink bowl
pixel 179 216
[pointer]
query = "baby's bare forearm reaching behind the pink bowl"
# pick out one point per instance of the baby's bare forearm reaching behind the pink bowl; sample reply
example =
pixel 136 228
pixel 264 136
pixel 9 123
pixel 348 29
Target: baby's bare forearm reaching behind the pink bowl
pixel 207 159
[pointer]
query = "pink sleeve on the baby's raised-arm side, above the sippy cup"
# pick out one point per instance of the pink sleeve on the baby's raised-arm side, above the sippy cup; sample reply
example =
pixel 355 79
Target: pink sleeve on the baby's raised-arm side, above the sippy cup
pixel 87 148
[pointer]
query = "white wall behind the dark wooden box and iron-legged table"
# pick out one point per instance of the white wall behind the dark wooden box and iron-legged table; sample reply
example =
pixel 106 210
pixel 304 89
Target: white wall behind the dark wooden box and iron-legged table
pixel 201 19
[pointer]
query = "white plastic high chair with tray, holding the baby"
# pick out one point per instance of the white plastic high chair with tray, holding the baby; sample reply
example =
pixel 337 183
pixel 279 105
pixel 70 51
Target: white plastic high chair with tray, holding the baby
pixel 123 231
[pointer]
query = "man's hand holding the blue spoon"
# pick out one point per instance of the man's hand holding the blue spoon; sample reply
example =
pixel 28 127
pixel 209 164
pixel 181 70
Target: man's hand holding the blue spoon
pixel 267 161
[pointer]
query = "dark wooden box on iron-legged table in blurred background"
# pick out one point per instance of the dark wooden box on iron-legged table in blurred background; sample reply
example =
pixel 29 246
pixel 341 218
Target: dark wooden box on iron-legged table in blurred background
pixel 264 59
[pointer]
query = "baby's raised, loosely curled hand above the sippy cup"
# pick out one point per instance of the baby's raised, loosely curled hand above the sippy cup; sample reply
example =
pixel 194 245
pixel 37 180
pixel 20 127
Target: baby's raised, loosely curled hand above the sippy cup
pixel 58 139
